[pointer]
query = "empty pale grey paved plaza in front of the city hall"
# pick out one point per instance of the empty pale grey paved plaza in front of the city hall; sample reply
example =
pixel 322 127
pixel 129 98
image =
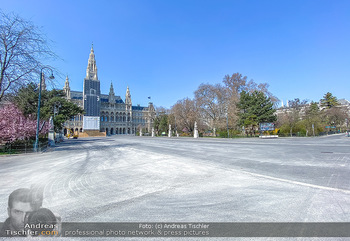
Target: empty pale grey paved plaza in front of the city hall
pixel 144 179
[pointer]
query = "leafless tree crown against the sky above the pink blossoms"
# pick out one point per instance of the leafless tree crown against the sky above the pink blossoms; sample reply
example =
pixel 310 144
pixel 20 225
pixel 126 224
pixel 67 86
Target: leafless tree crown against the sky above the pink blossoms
pixel 22 49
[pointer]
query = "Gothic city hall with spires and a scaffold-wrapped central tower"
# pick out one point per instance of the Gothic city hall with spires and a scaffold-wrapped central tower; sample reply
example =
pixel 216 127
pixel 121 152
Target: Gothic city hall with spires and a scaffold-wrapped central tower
pixel 105 114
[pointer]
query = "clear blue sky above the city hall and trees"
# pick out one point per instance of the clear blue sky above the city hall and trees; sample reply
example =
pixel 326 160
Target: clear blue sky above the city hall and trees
pixel 166 48
